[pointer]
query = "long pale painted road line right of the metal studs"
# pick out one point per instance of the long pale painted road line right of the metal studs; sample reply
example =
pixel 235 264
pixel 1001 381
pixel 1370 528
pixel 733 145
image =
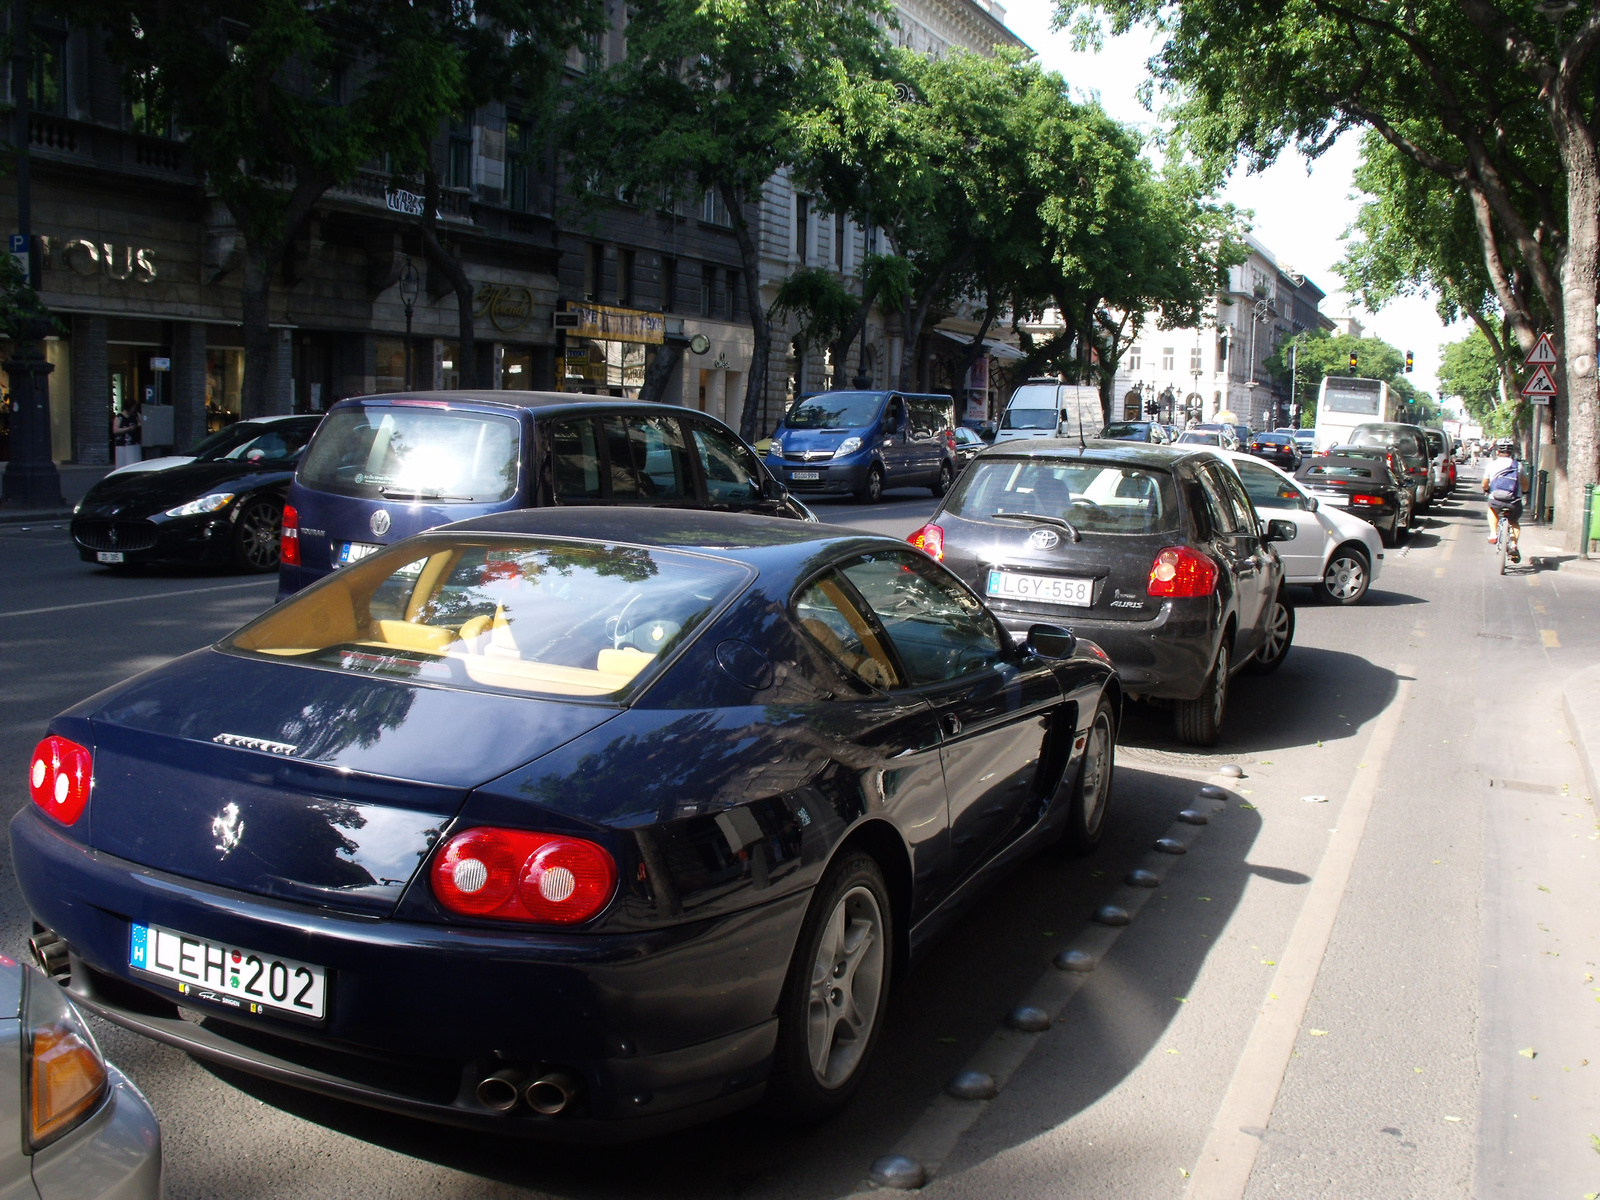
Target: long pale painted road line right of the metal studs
pixel 1230 1153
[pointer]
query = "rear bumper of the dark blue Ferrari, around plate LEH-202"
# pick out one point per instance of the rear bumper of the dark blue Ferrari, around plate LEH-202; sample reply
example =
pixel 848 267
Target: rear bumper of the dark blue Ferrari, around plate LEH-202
pixel 663 1028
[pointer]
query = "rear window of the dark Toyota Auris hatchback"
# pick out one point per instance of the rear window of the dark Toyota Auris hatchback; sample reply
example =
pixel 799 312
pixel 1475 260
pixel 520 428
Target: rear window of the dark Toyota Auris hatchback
pixel 1095 497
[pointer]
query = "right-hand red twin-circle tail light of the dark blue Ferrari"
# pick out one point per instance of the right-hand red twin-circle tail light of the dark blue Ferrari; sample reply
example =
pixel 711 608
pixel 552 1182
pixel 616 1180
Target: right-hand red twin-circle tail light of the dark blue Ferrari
pixel 514 874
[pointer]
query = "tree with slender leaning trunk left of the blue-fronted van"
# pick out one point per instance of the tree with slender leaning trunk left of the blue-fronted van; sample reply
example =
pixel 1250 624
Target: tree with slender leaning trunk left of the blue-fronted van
pixel 710 98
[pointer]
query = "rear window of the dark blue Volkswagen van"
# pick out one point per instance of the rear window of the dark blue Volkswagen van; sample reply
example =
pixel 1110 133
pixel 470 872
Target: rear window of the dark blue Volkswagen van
pixel 415 454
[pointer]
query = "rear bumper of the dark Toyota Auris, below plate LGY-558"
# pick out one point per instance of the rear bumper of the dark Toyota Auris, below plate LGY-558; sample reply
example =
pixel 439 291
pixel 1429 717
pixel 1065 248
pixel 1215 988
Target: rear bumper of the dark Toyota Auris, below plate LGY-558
pixel 1164 658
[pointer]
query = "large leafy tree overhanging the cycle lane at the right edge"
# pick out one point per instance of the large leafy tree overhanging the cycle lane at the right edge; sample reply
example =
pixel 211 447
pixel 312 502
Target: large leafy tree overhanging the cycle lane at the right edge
pixel 1495 100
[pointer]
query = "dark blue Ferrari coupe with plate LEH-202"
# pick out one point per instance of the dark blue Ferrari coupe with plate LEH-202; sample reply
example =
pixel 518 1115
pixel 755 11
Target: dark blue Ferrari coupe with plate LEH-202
pixel 562 823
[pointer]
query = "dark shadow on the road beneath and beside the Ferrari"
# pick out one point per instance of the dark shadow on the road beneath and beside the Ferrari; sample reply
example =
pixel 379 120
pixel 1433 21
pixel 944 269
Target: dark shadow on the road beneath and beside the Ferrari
pixel 938 1017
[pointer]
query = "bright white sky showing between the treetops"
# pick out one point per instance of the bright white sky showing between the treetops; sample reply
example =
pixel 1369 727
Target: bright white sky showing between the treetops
pixel 1302 210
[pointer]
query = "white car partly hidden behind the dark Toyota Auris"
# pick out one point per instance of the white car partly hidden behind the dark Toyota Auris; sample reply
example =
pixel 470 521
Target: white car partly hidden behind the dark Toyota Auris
pixel 1335 553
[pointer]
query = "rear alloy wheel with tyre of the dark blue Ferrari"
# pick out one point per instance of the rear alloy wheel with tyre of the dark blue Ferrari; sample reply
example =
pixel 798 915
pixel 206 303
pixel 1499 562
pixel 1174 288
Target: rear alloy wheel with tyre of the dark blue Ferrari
pixel 836 993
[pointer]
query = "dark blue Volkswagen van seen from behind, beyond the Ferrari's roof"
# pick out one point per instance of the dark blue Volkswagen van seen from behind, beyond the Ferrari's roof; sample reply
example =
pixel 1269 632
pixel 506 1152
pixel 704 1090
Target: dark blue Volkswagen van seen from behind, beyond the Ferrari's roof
pixel 383 468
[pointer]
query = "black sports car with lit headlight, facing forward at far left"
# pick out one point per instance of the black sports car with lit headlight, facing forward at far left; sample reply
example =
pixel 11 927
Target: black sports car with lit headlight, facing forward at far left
pixel 222 510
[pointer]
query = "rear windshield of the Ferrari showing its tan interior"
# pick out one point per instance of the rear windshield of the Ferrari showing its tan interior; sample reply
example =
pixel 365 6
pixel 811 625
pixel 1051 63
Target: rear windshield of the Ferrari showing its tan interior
pixel 511 615
